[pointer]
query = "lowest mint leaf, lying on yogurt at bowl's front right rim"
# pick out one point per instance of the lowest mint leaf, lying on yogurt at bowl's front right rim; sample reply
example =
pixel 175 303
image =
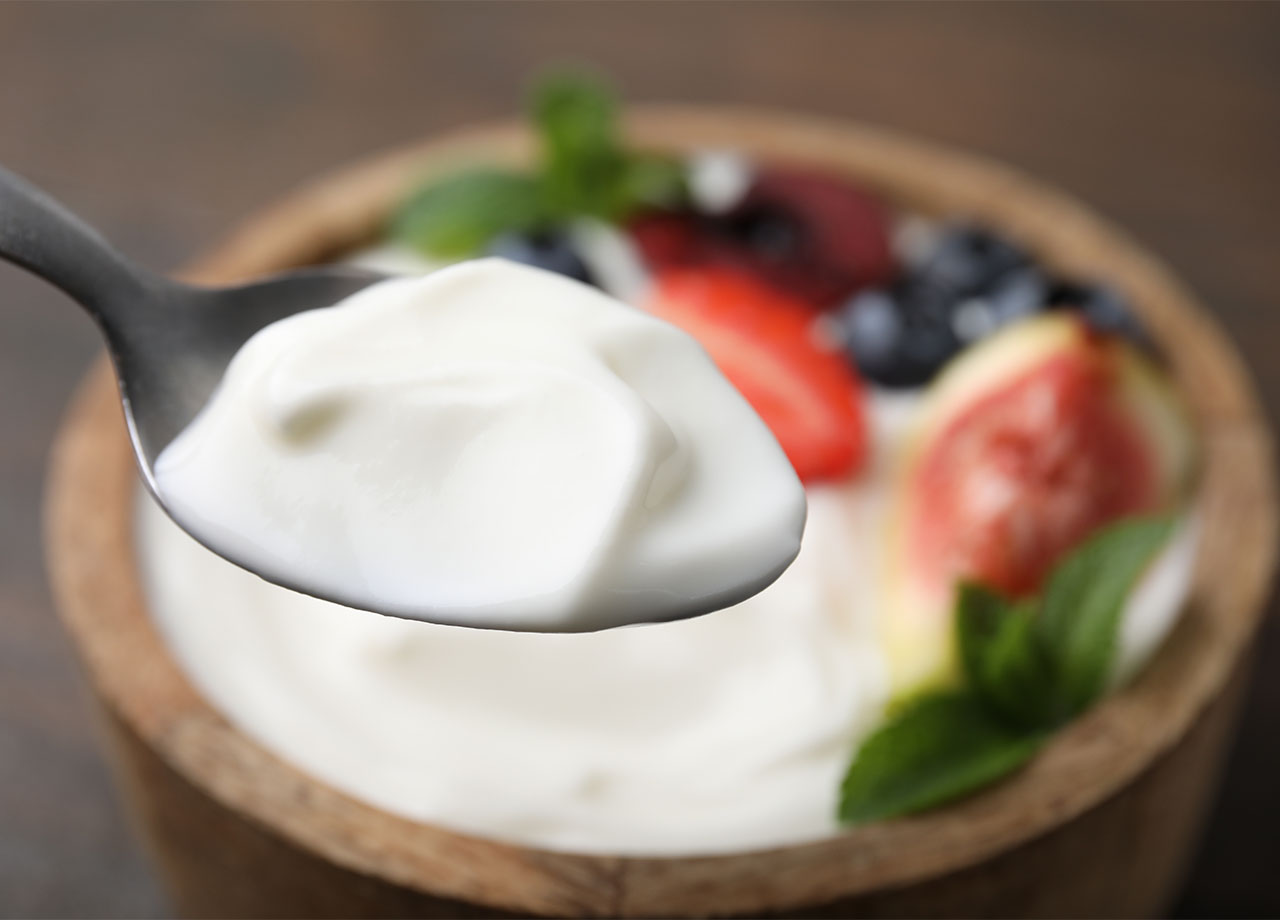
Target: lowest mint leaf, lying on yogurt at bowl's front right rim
pixel 938 749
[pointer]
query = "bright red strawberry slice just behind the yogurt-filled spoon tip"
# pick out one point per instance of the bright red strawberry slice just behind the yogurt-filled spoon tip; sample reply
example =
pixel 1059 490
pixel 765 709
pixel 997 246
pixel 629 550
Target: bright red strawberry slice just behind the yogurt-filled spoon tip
pixel 765 344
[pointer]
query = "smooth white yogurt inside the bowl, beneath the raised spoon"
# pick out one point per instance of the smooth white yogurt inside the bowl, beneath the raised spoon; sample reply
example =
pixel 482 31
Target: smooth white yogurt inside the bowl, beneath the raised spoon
pixel 721 734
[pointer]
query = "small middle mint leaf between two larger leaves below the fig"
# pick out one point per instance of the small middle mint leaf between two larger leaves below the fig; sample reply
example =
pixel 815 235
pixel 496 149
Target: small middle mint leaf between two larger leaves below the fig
pixel 1004 660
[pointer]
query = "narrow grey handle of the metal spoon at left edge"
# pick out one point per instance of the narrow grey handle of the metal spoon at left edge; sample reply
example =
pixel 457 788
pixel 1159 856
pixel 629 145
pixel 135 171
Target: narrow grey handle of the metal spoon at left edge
pixel 49 241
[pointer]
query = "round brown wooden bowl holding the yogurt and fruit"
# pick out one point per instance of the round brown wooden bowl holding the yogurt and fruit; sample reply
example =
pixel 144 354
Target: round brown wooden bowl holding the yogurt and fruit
pixel 1100 825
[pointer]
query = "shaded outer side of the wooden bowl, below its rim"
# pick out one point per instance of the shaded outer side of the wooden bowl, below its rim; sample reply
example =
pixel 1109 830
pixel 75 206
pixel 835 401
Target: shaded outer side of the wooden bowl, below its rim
pixel 1122 857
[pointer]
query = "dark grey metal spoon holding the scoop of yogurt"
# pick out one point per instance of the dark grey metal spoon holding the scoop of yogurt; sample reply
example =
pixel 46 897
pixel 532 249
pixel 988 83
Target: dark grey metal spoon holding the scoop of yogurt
pixel 170 342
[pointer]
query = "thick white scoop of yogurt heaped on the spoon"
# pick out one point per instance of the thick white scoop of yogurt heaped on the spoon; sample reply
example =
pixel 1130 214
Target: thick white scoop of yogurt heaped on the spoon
pixel 488 446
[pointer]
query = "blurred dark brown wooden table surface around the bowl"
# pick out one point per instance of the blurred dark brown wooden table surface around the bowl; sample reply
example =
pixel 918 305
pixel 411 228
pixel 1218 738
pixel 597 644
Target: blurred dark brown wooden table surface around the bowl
pixel 168 123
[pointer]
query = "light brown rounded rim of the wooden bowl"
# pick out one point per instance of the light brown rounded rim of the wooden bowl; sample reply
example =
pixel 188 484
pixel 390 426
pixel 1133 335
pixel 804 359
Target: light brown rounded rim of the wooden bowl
pixel 100 598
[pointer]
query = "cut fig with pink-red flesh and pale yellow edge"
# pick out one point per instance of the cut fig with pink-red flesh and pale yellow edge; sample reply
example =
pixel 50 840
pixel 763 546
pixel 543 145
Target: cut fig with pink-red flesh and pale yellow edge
pixel 1026 446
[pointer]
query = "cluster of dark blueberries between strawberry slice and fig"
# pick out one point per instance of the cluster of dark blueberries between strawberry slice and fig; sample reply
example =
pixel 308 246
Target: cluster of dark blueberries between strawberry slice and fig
pixel 968 285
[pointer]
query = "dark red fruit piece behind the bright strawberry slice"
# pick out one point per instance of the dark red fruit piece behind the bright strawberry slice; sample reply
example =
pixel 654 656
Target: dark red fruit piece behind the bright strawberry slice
pixel 811 236
